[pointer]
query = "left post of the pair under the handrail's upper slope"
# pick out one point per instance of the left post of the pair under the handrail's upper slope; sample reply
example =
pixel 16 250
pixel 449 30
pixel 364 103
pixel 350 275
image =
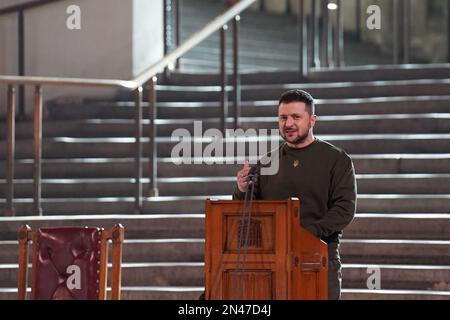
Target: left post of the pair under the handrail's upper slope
pixel 223 79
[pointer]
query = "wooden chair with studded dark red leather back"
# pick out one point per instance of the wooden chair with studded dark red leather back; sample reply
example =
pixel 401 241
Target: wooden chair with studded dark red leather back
pixel 70 263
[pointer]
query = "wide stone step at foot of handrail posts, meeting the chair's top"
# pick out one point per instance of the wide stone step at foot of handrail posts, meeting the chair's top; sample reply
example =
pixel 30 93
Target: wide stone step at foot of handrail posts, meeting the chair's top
pixel 404 226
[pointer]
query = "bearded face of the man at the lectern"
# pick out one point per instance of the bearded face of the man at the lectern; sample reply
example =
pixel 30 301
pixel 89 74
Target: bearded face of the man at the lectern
pixel 294 122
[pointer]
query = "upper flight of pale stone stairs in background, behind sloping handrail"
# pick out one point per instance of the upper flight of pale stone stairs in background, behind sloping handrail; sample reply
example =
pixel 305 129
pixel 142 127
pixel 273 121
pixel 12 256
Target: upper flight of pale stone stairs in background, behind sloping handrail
pixel 267 41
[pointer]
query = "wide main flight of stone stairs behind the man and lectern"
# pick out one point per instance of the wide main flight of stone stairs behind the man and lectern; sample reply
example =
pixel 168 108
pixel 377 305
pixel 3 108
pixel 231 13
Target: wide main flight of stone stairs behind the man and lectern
pixel 393 122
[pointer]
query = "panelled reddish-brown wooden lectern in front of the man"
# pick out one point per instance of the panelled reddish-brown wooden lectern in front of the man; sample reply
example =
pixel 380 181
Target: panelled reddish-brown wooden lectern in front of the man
pixel 278 259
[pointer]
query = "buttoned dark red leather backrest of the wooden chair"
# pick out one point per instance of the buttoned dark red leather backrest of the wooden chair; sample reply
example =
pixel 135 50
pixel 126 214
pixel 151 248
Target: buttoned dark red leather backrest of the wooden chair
pixel 67 263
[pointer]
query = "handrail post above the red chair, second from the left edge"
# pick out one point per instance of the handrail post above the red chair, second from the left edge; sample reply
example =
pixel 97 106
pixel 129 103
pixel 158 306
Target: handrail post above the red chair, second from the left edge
pixel 37 209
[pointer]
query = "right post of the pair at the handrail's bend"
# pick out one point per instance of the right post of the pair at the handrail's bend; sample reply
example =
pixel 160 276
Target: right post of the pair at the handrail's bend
pixel 153 158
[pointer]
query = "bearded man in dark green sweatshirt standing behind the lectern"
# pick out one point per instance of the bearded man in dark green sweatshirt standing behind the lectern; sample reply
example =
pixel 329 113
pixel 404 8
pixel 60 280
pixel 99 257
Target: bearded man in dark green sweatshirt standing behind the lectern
pixel 321 175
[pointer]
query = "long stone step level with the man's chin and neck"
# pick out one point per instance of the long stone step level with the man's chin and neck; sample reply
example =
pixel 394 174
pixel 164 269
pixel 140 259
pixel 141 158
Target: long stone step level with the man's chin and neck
pixel 66 147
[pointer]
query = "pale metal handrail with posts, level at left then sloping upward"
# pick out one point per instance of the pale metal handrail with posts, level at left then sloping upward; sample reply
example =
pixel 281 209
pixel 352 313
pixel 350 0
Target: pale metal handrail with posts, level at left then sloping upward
pixel 136 85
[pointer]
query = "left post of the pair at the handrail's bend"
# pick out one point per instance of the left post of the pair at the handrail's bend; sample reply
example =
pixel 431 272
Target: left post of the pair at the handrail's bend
pixel 138 151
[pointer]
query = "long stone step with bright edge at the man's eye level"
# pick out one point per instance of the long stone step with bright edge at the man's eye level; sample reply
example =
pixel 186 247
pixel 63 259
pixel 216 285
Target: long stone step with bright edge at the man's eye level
pixel 357 124
